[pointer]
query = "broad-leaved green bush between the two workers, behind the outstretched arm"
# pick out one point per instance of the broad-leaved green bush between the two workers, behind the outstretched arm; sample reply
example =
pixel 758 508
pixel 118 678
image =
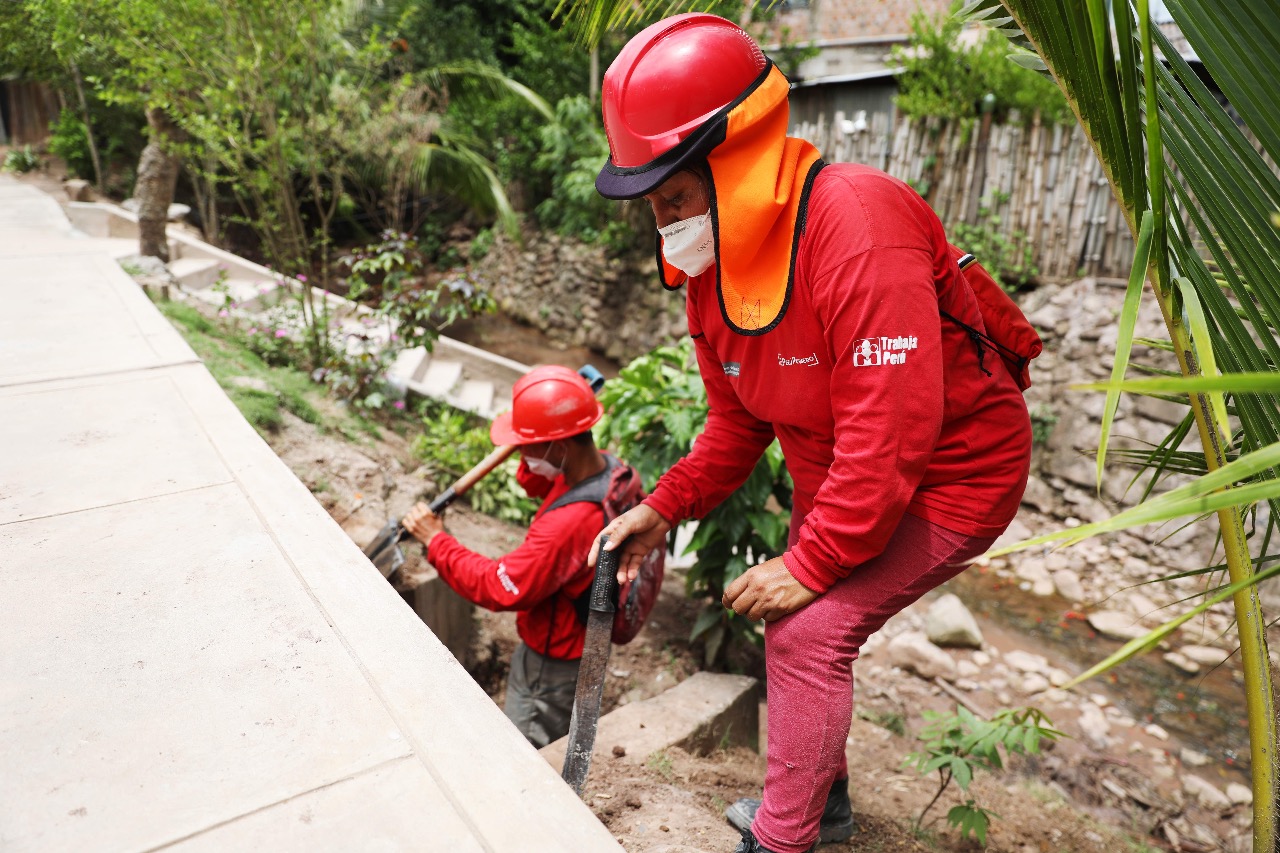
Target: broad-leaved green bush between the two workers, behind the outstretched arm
pixel 653 412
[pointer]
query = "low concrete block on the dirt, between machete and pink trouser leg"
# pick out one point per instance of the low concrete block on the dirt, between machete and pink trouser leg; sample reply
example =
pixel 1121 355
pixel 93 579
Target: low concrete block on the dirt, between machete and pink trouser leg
pixel 705 713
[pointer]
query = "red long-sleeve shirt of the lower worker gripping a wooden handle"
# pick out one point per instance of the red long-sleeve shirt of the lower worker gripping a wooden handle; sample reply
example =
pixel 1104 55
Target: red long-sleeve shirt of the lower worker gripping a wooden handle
pixel 540 580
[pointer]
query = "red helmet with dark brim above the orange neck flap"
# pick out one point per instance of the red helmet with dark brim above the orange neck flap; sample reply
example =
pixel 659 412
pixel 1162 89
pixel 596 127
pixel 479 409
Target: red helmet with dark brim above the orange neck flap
pixel 665 85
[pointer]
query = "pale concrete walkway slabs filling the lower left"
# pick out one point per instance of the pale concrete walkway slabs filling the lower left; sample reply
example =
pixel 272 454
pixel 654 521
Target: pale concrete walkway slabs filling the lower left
pixel 193 654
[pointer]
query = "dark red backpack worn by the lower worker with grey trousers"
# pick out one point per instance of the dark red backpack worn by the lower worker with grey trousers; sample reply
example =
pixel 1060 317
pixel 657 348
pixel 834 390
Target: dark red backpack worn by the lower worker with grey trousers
pixel 616 490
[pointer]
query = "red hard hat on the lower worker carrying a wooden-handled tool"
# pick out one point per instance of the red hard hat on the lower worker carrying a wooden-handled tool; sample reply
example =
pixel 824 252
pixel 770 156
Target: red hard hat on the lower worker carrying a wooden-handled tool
pixel 547 404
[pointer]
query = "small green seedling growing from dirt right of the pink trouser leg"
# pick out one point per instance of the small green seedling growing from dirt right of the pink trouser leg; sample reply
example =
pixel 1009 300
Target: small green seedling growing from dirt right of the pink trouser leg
pixel 958 746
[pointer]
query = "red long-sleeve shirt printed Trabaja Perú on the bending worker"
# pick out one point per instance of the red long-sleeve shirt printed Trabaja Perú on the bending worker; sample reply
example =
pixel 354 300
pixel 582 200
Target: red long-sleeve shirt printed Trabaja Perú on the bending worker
pixel 880 405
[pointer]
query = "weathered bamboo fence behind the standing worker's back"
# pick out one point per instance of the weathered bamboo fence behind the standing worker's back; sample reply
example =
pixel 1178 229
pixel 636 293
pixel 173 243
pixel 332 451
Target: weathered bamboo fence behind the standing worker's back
pixel 1044 184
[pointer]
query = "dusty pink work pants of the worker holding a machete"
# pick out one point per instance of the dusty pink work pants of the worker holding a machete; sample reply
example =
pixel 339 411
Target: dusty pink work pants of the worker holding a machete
pixel 810 658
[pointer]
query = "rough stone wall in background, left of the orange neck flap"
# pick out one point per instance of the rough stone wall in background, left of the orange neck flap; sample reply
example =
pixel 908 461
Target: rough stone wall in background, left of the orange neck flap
pixel 578 295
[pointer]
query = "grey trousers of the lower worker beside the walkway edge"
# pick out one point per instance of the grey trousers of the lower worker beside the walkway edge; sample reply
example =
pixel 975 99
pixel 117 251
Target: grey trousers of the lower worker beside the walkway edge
pixel 541 695
